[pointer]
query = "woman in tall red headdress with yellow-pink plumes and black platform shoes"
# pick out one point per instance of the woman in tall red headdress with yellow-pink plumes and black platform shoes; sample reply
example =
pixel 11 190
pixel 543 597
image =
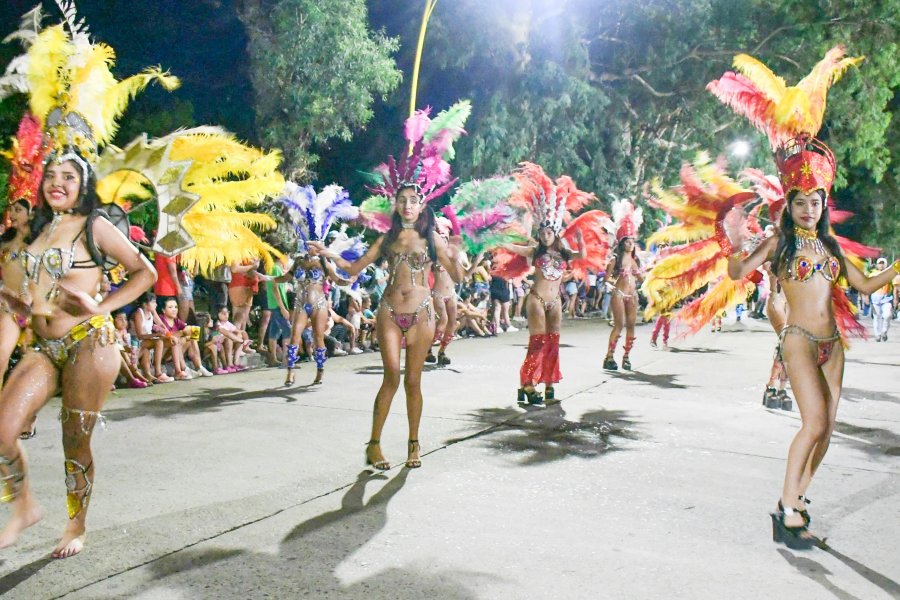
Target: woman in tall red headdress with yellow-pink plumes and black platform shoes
pixel 808 261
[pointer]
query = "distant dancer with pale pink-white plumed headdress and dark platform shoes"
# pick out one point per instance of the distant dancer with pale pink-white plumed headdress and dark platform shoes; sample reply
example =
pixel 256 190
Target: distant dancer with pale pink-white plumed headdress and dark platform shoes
pixel 625 273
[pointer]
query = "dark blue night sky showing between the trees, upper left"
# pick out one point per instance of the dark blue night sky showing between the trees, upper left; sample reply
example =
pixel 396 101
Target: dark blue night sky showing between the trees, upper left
pixel 203 43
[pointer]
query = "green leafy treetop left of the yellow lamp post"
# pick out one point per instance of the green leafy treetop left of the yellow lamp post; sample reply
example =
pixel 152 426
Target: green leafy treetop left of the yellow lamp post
pixel 316 69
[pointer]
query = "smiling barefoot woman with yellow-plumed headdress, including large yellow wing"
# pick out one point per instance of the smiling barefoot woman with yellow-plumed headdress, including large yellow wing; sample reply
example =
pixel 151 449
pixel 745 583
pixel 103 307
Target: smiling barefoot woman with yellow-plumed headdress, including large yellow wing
pixel 57 277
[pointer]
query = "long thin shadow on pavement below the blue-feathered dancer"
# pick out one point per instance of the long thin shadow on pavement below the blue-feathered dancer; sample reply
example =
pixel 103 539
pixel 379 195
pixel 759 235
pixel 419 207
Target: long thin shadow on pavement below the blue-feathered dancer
pixel 210 400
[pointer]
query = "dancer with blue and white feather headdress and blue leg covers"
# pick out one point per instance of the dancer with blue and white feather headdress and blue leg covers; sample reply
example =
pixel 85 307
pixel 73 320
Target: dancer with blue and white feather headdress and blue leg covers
pixel 313 215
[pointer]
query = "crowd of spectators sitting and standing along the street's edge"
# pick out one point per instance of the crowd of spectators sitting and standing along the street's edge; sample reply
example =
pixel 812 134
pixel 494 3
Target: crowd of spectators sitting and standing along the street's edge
pixel 191 326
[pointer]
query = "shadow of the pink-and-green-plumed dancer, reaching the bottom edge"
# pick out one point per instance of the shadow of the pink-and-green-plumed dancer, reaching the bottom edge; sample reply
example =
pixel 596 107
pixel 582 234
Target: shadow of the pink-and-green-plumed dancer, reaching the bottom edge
pixel 308 558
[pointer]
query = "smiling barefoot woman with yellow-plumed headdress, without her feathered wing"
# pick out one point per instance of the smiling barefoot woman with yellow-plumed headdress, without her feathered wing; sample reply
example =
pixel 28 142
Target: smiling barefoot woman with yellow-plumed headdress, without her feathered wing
pixel 55 279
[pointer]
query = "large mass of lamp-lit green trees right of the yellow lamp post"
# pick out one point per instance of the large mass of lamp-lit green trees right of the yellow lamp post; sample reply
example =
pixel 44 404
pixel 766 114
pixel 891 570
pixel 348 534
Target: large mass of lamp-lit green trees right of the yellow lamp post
pixel 613 94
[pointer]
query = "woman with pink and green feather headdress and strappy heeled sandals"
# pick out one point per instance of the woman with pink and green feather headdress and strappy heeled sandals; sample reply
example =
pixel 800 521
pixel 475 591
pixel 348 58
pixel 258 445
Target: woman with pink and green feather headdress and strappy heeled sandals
pixel 411 246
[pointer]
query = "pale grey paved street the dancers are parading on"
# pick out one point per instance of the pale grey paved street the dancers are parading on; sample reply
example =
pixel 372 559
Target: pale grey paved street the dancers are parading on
pixel 651 484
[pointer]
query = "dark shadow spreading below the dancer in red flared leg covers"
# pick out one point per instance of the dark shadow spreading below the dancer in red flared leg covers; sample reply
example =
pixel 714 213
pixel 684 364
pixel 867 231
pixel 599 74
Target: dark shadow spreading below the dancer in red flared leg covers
pixel 544 435
